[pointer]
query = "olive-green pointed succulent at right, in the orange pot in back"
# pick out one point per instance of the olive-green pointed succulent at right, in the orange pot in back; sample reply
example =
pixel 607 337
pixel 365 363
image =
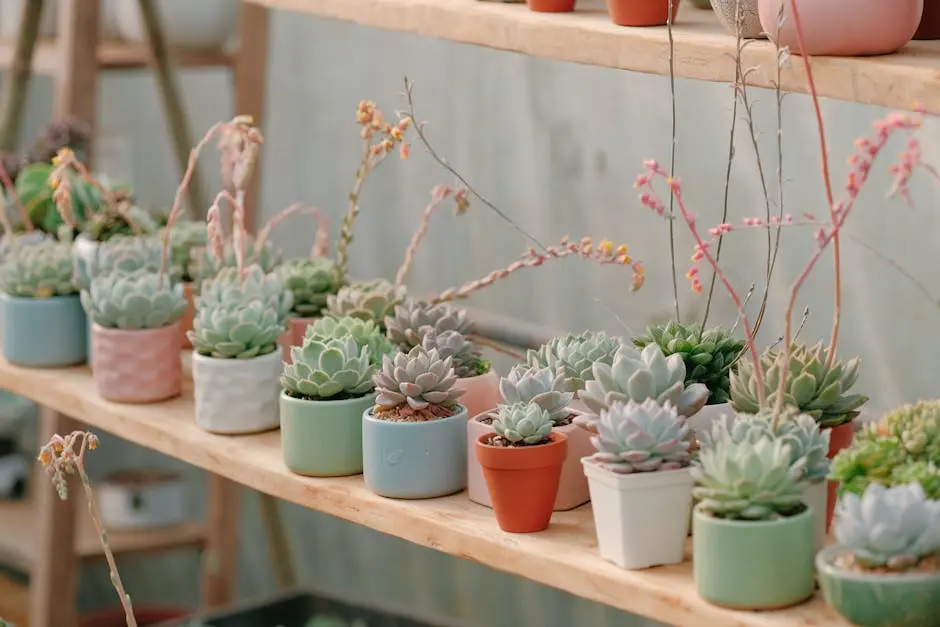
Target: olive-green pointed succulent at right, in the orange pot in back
pixel 810 386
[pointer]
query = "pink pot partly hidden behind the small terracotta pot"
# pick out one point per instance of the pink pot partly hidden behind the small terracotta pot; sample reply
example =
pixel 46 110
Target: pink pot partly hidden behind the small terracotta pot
pixel 573 488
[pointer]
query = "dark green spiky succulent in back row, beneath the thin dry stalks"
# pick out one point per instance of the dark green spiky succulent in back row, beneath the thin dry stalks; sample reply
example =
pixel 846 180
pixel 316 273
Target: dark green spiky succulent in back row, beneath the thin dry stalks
pixel 708 356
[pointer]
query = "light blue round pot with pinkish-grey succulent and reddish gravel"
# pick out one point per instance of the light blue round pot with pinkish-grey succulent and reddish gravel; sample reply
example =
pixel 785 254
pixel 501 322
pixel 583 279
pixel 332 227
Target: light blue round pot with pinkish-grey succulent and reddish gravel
pixel 414 438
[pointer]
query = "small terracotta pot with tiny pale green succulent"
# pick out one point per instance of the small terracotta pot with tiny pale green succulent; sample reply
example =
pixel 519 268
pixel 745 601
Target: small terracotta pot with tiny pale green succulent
pixel 521 463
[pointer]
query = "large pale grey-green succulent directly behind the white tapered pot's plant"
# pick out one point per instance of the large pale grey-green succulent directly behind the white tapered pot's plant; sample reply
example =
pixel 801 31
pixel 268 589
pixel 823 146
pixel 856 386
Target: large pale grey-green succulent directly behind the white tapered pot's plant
pixel 637 376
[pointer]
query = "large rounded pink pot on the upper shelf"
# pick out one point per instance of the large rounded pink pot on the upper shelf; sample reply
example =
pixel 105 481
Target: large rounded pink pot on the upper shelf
pixel 846 28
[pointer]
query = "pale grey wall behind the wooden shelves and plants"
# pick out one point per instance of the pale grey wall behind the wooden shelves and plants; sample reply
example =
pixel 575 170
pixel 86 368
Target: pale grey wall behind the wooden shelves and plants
pixel 557 146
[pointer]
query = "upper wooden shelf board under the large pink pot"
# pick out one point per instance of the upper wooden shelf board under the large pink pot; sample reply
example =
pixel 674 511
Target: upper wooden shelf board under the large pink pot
pixel 702 49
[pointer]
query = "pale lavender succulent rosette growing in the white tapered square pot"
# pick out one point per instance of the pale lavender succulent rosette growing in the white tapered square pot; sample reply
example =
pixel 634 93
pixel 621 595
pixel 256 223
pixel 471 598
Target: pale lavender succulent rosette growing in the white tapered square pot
pixel 641 437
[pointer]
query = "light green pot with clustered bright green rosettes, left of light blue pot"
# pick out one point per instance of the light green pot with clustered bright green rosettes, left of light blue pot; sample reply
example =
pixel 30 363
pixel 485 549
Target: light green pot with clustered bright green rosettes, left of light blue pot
pixel 327 388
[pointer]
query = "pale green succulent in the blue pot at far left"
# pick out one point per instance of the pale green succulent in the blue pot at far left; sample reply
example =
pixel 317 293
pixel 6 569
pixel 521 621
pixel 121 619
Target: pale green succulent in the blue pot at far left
pixel 41 270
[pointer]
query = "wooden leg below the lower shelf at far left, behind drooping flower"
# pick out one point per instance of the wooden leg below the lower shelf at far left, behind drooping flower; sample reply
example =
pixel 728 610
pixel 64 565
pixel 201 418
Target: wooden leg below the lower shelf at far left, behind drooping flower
pixel 52 581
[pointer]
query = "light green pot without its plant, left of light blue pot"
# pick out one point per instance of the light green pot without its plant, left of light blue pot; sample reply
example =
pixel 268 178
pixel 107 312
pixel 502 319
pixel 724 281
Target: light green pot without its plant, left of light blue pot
pixel 323 438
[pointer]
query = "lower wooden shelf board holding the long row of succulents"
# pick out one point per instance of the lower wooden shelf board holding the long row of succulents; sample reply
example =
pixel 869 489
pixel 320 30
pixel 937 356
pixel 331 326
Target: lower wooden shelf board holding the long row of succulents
pixel 564 556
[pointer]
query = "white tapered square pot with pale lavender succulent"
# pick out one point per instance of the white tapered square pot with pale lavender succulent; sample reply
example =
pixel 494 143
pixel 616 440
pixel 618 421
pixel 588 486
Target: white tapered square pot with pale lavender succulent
pixel 641 489
